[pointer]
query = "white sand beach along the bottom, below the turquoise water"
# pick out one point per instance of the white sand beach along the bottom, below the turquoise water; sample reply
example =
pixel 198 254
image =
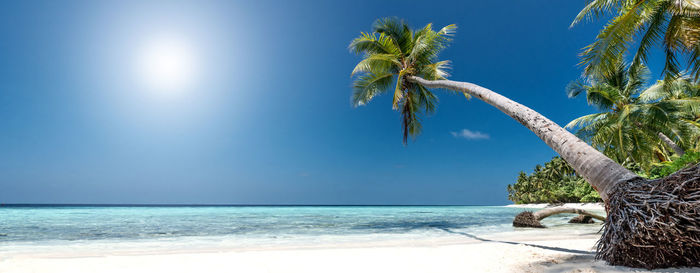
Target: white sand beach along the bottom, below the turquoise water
pixel 544 250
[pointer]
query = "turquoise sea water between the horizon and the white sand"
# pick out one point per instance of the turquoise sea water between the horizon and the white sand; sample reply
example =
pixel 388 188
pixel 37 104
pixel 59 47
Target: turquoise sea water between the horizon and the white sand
pixel 251 225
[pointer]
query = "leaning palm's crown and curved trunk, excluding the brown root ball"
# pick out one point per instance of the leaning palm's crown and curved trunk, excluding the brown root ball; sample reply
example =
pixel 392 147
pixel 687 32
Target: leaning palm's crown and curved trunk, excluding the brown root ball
pixel 393 53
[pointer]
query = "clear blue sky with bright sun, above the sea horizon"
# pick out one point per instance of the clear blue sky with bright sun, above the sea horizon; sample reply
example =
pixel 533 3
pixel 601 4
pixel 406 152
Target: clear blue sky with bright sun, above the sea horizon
pixel 254 106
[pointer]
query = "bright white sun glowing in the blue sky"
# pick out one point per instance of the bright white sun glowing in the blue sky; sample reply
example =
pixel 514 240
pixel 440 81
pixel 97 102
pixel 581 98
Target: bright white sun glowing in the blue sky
pixel 167 64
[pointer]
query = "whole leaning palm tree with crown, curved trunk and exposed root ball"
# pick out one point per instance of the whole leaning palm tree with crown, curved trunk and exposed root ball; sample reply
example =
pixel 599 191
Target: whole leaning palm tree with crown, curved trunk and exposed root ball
pixel 395 55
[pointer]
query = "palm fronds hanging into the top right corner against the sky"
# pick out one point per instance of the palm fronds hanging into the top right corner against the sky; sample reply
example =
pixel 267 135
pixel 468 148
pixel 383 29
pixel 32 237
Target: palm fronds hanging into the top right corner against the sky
pixel 673 23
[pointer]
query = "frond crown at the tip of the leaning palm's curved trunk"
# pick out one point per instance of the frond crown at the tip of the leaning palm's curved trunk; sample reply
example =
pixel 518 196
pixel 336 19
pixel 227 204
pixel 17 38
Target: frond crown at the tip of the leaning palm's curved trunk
pixel 391 53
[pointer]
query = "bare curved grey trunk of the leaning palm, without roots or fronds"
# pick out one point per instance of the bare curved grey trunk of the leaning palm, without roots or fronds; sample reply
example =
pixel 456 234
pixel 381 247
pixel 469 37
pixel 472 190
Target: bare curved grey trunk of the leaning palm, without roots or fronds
pixel 600 171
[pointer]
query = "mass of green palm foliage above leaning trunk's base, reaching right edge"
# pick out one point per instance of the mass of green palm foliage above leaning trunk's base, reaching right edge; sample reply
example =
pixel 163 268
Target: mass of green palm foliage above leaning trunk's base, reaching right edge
pixel 631 117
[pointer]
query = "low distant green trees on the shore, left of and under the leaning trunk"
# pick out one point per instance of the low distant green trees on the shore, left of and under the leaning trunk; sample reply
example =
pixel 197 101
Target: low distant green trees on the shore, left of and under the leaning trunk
pixel 556 182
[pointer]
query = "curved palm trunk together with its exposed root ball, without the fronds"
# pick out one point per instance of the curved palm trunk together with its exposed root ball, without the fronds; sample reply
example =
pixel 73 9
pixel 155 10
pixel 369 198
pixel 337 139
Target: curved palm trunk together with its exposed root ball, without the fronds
pixel 650 223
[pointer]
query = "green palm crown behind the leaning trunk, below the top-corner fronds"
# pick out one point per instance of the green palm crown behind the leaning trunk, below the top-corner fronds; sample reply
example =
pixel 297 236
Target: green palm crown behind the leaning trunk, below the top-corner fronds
pixel 628 128
